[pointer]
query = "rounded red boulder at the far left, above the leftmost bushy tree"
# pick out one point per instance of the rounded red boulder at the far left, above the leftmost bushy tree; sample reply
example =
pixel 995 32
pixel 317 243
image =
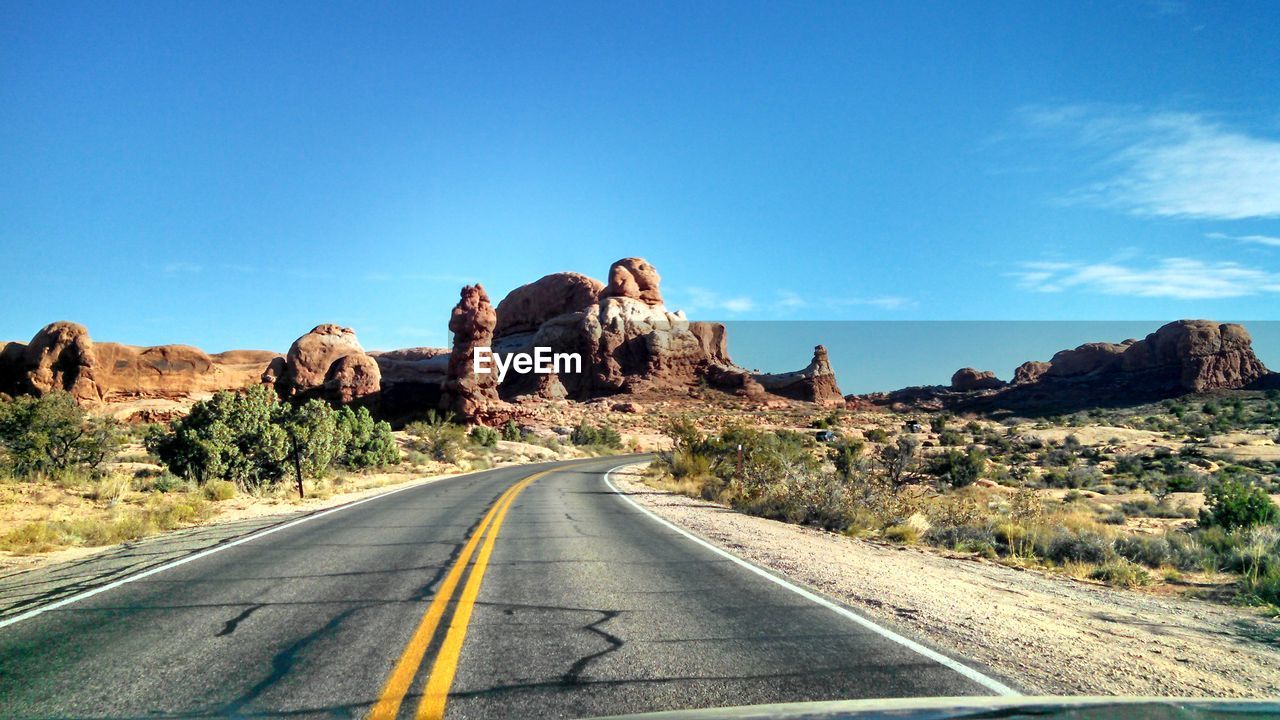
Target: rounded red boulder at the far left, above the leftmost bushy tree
pixel 62 357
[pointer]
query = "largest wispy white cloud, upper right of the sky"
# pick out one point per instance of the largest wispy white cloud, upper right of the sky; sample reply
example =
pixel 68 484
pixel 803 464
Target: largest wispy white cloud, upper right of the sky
pixel 1168 165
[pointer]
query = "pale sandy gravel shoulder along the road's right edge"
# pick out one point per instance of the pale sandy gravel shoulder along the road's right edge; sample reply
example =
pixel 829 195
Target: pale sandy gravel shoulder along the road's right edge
pixel 1046 634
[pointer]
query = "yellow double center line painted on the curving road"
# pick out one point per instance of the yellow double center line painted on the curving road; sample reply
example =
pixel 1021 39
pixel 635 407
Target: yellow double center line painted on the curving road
pixel 447 659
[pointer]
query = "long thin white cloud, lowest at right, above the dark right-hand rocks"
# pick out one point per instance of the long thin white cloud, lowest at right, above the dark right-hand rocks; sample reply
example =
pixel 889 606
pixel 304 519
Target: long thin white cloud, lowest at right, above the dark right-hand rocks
pixel 1171 277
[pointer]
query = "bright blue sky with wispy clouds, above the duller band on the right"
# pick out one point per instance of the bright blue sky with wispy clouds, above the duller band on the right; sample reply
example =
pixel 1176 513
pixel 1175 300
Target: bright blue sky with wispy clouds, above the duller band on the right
pixel 232 175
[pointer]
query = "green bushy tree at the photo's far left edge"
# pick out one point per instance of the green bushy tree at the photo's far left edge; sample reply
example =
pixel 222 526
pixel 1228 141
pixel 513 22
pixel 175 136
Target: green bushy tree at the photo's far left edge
pixel 52 434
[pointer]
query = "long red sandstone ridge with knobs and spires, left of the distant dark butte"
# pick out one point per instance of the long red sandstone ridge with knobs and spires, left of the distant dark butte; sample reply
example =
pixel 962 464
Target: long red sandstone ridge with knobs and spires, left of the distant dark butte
pixel 628 339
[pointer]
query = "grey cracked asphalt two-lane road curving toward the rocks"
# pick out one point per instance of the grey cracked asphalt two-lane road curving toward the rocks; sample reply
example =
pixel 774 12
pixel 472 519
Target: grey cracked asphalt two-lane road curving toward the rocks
pixel 575 604
